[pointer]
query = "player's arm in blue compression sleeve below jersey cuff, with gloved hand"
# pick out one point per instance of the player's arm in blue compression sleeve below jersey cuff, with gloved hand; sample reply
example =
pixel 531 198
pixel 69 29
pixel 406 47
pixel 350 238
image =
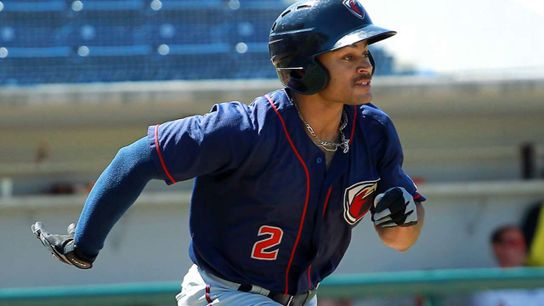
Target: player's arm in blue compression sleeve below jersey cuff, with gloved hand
pixel 114 192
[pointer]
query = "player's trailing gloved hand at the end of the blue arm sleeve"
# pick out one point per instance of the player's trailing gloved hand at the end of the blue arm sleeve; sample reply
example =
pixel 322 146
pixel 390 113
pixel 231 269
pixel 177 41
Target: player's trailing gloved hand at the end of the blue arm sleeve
pixel 62 246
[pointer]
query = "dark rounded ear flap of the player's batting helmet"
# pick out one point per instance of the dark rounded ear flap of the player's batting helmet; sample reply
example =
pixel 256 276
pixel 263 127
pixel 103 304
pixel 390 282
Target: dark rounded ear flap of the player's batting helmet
pixel 313 78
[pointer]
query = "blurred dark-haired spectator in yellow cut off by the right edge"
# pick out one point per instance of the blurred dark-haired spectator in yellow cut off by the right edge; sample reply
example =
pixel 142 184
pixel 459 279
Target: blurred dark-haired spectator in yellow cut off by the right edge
pixel 533 229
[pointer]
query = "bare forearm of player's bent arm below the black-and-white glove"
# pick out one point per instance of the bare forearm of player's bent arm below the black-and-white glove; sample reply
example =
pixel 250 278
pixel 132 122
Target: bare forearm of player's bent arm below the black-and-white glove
pixel 402 237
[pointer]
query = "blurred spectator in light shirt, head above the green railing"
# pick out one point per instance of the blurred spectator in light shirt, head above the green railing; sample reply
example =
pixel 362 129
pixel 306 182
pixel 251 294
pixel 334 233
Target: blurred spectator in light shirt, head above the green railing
pixel 510 250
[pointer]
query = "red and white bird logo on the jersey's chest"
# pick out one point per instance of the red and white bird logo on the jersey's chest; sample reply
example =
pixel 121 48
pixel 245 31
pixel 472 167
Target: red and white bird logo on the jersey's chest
pixel 358 199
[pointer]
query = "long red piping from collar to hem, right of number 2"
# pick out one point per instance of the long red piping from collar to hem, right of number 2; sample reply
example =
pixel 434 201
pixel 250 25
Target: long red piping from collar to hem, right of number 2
pixel 306 200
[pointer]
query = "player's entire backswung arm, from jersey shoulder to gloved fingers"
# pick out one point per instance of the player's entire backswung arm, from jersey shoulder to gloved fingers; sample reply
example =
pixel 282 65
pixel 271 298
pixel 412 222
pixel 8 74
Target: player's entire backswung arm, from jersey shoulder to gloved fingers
pixel 173 151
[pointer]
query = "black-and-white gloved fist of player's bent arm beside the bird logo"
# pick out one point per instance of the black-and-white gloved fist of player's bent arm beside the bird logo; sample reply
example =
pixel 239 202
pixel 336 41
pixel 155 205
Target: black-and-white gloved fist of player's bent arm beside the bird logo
pixel 394 207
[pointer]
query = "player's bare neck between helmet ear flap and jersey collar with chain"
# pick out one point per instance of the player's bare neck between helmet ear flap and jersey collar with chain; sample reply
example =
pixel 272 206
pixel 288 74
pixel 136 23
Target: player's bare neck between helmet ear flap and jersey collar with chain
pixel 324 118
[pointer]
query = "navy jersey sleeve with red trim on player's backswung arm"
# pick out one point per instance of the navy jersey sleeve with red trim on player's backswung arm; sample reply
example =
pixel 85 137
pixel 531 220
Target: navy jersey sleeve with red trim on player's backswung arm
pixel 203 144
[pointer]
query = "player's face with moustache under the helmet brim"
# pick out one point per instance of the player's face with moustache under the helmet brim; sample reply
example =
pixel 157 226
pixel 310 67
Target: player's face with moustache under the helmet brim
pixel 350 72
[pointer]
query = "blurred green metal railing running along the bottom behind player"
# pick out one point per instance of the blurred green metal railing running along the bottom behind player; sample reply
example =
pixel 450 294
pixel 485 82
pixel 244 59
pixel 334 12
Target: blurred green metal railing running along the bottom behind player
pixel 433 284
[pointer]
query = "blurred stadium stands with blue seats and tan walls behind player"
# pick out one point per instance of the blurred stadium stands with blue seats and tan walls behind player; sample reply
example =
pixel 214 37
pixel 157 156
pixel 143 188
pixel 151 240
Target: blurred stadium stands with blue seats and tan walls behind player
pixel 80 79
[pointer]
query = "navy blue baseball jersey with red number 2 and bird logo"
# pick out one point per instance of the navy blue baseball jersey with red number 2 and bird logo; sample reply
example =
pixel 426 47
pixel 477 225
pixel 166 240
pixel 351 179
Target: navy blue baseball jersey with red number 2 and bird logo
pixel 265 209
